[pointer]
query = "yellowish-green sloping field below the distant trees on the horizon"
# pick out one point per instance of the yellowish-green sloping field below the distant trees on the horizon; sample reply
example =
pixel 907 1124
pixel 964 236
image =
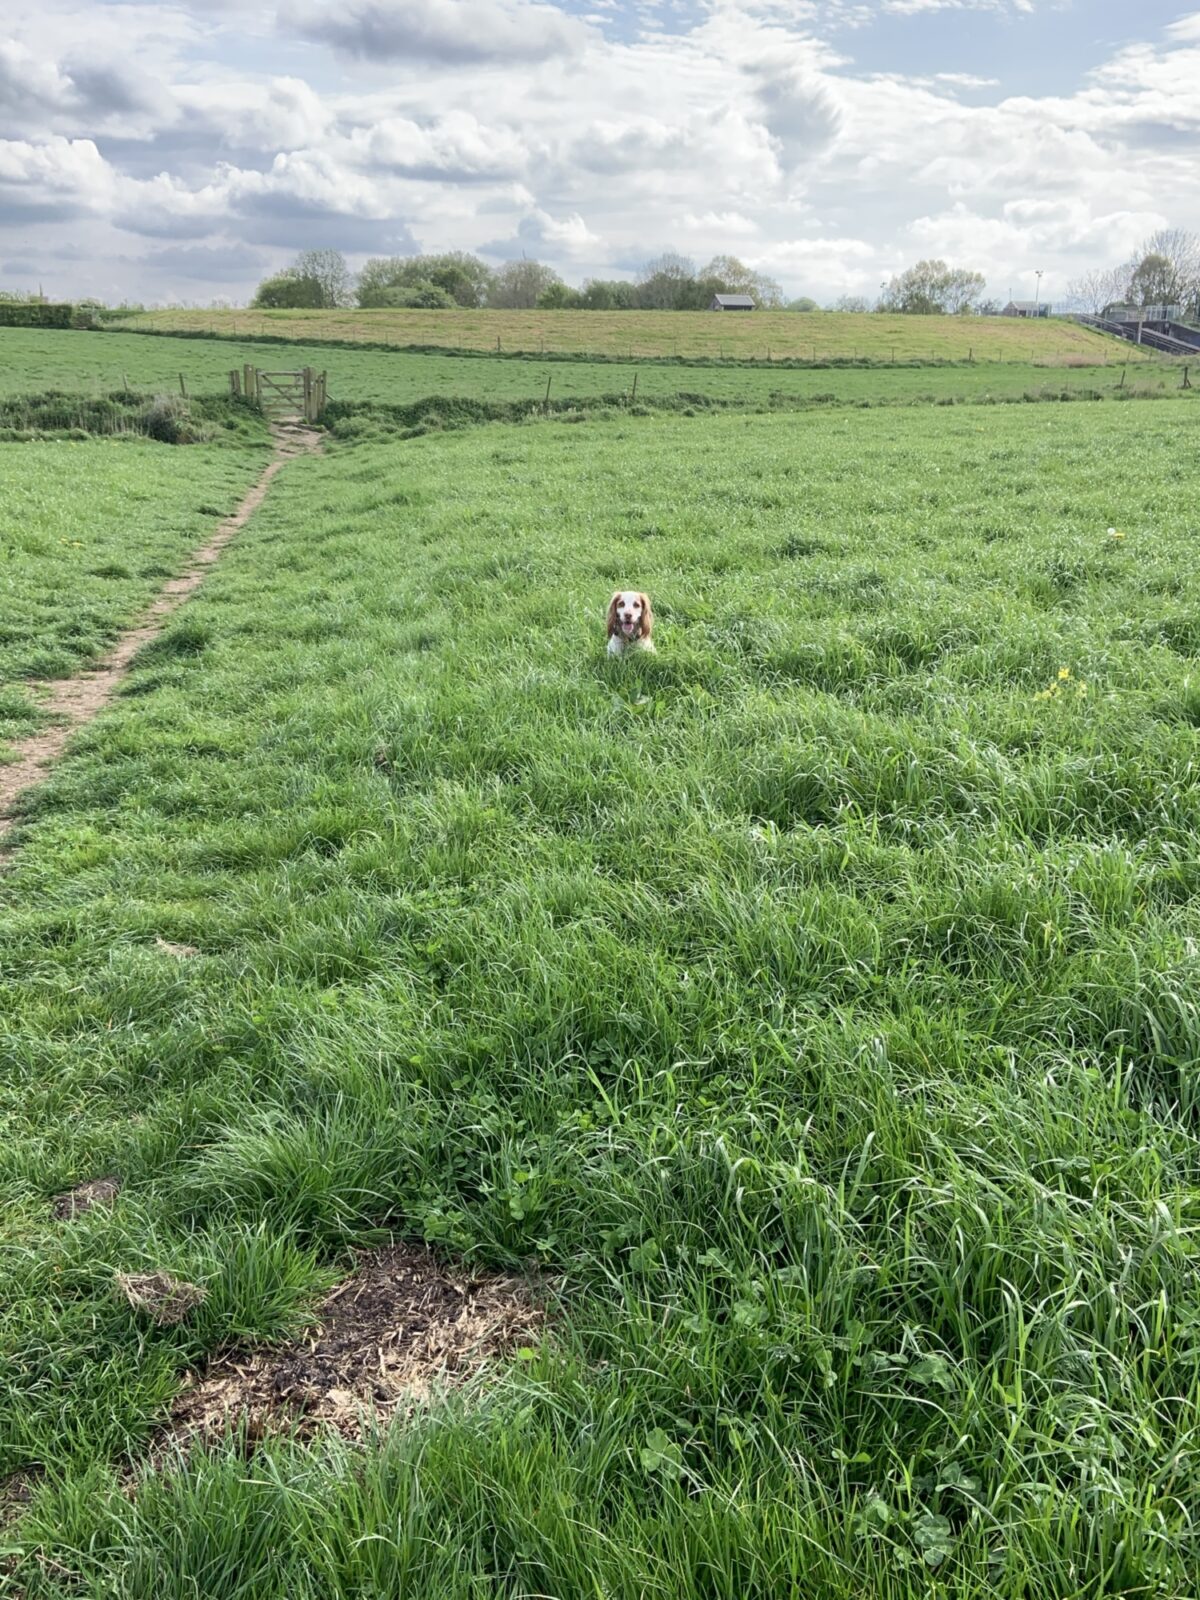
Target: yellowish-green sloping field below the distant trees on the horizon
pixel 754 337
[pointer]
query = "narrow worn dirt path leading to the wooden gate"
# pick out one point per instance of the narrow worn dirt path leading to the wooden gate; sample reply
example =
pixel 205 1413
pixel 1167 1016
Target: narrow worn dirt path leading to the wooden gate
pixel 73 703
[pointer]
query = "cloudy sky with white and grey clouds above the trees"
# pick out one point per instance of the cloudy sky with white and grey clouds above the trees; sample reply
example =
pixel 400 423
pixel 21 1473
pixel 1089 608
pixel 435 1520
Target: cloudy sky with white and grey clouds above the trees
pixel 178 151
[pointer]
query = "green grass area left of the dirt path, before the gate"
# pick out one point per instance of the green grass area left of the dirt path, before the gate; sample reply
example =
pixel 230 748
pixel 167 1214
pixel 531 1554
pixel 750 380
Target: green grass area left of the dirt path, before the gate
pixel 89 534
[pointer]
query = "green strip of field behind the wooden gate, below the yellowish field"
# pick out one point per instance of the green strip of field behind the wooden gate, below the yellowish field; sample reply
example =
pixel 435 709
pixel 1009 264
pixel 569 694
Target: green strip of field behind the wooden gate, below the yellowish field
pixel 33 361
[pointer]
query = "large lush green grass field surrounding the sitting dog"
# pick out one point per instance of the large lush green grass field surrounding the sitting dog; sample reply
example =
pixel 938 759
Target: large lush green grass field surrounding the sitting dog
pixel 814 1001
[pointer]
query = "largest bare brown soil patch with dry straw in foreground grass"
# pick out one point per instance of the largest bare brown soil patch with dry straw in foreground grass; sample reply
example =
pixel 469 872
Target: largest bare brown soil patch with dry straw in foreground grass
pixel 388 1338
